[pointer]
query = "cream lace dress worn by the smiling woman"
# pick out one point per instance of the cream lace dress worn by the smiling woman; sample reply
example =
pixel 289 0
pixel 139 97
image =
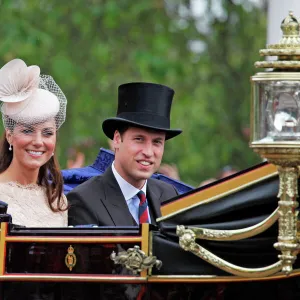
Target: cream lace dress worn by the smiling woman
pixel 28 205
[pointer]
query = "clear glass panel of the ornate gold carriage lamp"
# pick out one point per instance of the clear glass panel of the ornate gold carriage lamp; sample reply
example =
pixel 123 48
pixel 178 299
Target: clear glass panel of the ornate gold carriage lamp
pixel 276 112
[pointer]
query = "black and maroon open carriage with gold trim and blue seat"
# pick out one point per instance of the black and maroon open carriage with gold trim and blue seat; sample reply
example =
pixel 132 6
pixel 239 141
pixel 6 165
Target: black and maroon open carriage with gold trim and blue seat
pixel 212 242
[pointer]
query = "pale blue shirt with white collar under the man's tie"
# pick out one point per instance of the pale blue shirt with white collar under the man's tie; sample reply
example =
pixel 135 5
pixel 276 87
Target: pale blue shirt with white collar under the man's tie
pixel 129 192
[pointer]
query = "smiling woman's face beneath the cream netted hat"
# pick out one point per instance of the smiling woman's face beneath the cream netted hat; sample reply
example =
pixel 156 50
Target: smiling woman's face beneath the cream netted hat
pixel 32 145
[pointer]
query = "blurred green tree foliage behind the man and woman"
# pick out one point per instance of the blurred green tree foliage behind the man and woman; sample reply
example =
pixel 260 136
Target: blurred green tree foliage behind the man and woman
pixel 90 47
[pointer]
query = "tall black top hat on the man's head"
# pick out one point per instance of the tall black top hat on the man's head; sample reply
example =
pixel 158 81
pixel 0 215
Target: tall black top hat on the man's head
pixel 145 105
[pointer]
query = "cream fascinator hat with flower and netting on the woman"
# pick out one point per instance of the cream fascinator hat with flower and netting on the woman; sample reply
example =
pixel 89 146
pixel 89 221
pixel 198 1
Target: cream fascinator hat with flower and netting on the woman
pixel 29 98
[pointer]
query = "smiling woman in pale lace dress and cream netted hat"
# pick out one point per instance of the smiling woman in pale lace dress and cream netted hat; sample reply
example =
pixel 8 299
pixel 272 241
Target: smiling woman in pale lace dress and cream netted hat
pixel 33 108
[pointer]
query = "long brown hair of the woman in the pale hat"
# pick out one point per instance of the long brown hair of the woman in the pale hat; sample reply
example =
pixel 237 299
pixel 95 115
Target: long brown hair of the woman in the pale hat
pixel 49 176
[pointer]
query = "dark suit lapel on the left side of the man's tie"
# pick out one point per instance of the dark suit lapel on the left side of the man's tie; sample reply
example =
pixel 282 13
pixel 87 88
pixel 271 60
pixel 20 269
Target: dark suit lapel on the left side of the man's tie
pixel 114 201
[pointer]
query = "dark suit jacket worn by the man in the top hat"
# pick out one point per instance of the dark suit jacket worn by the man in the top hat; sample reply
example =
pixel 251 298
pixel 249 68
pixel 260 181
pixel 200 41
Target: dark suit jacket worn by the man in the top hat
pixel 100 201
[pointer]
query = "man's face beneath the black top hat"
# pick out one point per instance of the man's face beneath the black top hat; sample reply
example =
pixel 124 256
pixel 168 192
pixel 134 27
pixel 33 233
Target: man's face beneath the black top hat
pixel 138 154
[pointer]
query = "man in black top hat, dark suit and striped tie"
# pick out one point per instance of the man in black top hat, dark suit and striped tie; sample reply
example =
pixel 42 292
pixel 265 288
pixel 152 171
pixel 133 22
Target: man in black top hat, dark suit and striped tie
pixel 125 194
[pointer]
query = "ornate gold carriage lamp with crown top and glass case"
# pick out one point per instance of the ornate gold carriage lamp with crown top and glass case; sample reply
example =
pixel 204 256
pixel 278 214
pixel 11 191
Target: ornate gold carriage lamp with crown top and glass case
pixel 275 128
